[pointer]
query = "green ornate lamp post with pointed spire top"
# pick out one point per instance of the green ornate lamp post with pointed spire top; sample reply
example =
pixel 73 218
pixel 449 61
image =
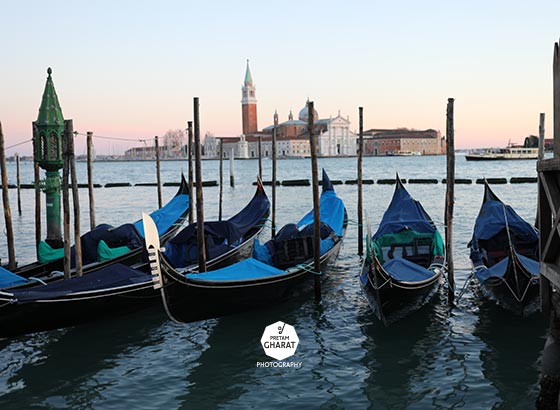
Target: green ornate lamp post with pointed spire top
pixel 50 134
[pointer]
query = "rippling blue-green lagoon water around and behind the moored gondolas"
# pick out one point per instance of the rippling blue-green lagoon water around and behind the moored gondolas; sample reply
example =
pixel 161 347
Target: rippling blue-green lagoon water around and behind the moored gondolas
pixel 473 356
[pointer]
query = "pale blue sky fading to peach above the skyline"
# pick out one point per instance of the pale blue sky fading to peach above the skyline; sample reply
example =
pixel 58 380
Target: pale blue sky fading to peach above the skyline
pixel 129 70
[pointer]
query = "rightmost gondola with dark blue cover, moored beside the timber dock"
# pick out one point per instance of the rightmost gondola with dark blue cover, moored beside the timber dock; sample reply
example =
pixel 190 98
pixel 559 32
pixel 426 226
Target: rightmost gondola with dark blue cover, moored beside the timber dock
pixel 504 251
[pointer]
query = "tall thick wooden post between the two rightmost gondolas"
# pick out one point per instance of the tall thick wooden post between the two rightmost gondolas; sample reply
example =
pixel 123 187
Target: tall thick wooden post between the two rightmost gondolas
pixel 450 200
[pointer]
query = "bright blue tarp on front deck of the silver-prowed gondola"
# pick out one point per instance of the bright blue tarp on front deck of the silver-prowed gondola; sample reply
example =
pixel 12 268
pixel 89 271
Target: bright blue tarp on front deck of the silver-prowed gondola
pixel 244 270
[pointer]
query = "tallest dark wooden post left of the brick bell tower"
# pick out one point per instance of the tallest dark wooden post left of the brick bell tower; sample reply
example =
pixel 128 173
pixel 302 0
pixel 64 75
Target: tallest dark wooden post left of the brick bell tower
pixel 199 197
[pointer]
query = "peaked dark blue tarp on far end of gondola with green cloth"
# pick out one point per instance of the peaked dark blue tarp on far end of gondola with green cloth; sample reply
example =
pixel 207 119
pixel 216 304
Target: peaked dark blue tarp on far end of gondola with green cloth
pixel 404 213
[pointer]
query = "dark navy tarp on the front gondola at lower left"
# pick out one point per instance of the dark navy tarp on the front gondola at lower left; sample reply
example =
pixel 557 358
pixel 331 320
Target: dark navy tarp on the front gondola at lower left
pixel 109 277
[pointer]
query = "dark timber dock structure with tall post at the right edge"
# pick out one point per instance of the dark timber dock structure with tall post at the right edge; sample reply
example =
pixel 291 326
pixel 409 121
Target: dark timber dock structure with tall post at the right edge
pixel 549 244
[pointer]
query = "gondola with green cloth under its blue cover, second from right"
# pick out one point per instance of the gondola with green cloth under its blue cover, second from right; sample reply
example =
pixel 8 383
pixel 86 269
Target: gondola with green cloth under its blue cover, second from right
pixel 405 259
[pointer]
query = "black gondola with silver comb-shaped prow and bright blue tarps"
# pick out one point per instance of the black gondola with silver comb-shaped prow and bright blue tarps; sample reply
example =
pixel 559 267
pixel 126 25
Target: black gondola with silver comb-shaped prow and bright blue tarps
pixel 268 275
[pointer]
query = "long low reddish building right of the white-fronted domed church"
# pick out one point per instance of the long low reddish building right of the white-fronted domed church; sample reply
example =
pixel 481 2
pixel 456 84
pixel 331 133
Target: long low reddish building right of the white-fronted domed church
pixel 403 141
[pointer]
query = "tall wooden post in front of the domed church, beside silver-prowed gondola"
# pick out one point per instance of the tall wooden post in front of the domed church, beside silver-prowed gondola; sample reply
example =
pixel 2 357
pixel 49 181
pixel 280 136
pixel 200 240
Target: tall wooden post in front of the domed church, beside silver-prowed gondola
pixel 316 203
